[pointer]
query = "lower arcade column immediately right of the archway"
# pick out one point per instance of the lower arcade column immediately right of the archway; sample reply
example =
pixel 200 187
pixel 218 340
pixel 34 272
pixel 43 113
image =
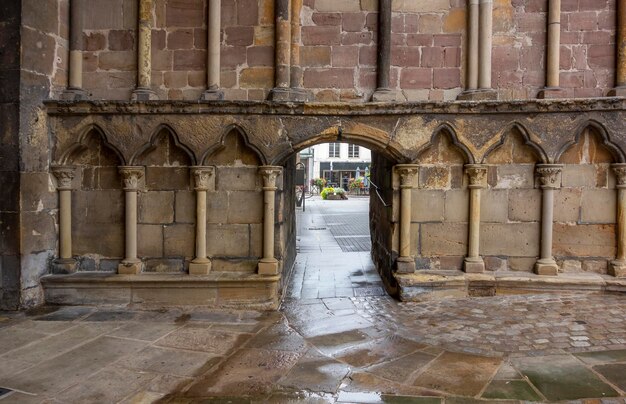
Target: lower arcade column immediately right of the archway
pixel 405 262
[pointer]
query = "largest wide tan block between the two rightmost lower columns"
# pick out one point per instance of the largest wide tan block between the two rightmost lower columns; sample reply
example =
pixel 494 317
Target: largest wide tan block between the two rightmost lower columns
pixel 590 240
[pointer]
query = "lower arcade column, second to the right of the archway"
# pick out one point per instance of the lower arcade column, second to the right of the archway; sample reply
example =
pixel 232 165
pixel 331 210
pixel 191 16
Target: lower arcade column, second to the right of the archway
pixel 477 175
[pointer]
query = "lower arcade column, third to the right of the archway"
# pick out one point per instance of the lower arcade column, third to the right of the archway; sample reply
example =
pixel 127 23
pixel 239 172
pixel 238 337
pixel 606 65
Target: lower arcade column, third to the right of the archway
pixel 549 179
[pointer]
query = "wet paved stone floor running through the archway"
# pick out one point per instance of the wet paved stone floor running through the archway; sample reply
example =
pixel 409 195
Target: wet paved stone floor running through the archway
pixel 337 338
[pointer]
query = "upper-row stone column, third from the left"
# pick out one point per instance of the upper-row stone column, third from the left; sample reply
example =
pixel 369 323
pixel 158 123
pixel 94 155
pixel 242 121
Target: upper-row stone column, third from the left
pixel 213 92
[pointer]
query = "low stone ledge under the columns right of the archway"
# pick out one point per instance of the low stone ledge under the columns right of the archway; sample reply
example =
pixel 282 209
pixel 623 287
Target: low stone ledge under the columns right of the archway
pixel 431 285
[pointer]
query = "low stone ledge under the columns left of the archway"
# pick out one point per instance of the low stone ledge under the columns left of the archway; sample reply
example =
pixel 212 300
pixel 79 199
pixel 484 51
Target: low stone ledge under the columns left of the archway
pixel 217 289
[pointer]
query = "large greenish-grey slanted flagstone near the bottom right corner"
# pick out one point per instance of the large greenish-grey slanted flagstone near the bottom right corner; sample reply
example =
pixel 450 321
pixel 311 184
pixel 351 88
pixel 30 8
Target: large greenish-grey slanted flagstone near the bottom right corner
pixel 562 377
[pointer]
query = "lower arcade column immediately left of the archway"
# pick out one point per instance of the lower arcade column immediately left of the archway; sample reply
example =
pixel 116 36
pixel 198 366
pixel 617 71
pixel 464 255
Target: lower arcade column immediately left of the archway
pixel 268 265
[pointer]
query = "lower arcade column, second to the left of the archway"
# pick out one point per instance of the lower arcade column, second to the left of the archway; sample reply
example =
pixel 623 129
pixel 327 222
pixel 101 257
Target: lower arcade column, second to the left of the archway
pixel 201 264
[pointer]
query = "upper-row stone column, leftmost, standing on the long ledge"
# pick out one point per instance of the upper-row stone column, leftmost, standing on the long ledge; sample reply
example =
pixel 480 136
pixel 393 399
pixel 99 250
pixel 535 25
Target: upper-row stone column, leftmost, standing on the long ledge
pixel 74 89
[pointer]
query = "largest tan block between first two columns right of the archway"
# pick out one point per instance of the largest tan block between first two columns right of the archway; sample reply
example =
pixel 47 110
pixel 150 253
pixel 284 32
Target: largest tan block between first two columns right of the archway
pixel 443 239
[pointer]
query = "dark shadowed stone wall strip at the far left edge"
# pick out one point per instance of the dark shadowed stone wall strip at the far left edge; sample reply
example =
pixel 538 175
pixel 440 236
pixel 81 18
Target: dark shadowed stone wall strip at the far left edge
pixel 9 155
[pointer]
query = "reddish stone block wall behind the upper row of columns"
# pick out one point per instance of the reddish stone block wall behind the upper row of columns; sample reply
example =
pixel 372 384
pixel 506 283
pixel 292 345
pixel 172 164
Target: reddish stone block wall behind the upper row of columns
pixel 338 48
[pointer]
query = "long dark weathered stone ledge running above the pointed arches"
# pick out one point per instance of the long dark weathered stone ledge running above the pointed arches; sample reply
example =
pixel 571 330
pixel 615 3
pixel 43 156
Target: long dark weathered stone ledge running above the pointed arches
pixel 61 107
